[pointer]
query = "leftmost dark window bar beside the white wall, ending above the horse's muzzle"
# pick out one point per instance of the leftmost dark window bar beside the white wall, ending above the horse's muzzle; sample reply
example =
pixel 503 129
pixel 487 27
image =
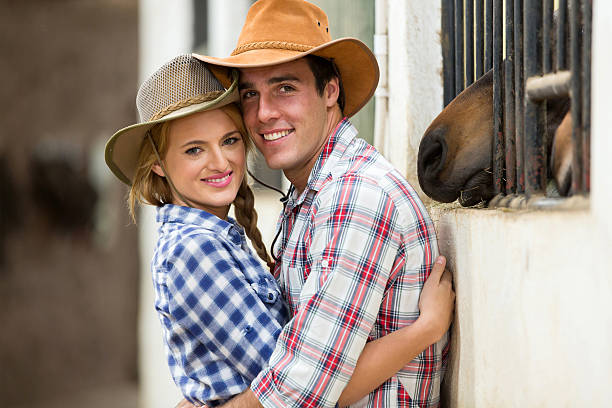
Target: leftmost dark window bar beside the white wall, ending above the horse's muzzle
pixel 448 49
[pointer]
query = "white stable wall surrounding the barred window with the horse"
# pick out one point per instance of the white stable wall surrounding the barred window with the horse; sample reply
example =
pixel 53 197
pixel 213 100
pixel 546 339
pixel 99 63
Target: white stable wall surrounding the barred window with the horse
pixel 534 311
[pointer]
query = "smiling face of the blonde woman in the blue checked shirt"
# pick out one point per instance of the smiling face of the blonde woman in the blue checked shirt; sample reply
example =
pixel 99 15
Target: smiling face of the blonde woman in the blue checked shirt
pixel 205 160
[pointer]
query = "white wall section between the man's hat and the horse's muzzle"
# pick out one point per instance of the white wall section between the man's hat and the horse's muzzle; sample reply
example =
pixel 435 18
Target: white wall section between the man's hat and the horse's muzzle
pixel 414 79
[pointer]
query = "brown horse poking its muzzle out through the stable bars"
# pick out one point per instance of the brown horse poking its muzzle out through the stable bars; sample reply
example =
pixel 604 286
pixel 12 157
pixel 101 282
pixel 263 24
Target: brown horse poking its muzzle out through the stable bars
pixel 455 155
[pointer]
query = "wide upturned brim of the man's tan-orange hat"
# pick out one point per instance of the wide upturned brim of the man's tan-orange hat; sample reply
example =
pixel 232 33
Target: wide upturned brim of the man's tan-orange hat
pixel 357 66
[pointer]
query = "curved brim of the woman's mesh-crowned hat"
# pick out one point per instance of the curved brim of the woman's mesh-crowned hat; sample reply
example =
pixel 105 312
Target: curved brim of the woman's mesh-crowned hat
pixel 122 149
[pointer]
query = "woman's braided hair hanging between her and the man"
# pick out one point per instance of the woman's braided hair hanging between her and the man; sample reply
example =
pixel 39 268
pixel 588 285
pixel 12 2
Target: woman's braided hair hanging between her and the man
pixel 245 213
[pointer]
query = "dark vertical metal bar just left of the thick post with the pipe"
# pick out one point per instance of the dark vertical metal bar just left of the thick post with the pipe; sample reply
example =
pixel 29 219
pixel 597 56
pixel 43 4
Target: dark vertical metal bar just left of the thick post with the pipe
pixel 519 96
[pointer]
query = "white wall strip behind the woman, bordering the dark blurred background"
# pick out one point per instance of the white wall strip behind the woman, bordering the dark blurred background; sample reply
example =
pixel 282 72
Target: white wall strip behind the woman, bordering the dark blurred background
pixel 165 30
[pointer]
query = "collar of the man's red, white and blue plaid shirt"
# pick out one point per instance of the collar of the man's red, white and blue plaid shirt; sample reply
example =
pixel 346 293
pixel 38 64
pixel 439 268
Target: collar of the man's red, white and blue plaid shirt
pixel 333 150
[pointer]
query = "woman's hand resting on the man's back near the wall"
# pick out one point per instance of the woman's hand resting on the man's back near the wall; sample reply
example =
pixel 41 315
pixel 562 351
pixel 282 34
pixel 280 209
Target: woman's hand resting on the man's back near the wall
pixel 437 301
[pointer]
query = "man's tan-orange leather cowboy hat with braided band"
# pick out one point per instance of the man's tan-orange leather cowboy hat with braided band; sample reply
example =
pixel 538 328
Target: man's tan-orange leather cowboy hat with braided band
pixel 279 31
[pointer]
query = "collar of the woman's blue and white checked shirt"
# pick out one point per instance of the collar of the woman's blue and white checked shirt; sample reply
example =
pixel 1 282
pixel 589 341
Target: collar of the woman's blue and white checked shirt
pixel 171 213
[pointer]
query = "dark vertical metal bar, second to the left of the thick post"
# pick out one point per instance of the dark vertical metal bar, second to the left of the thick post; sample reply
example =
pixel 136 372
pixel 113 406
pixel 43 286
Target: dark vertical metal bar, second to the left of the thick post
pixel 509 101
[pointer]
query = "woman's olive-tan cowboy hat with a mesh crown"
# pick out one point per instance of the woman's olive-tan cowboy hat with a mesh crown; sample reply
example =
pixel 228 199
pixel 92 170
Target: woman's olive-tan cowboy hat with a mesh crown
pixel 181 87
